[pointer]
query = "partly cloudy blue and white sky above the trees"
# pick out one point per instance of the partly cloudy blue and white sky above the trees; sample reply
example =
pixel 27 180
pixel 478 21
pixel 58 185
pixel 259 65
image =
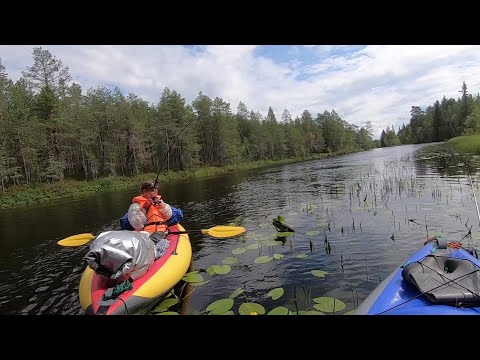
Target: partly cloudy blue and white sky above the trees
pixel 376 83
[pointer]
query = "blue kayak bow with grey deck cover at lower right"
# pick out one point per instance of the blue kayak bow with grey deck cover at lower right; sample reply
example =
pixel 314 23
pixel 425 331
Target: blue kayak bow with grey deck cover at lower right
pixel 436 280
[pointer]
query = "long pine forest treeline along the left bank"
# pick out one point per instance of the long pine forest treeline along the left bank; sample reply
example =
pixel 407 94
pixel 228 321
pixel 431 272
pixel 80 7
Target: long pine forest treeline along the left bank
pixel 50 131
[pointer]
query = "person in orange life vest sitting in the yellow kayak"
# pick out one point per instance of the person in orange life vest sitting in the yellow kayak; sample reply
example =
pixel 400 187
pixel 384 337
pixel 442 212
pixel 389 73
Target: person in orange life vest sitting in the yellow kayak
pixel 148 211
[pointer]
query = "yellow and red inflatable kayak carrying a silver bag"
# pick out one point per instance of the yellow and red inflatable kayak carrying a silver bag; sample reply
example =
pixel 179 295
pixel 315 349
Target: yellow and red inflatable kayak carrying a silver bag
pixel 99 295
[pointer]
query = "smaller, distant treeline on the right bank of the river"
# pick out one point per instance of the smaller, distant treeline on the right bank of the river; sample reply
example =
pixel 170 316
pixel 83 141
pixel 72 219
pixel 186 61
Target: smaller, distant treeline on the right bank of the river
pixel 440 122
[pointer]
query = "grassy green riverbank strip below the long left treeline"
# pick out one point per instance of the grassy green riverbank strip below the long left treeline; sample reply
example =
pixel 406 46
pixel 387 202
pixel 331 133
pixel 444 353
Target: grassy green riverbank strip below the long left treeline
pixel 25 195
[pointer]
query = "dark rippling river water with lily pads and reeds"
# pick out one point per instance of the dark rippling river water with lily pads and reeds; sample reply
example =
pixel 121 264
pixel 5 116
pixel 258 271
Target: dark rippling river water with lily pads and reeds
pixel 356 217
